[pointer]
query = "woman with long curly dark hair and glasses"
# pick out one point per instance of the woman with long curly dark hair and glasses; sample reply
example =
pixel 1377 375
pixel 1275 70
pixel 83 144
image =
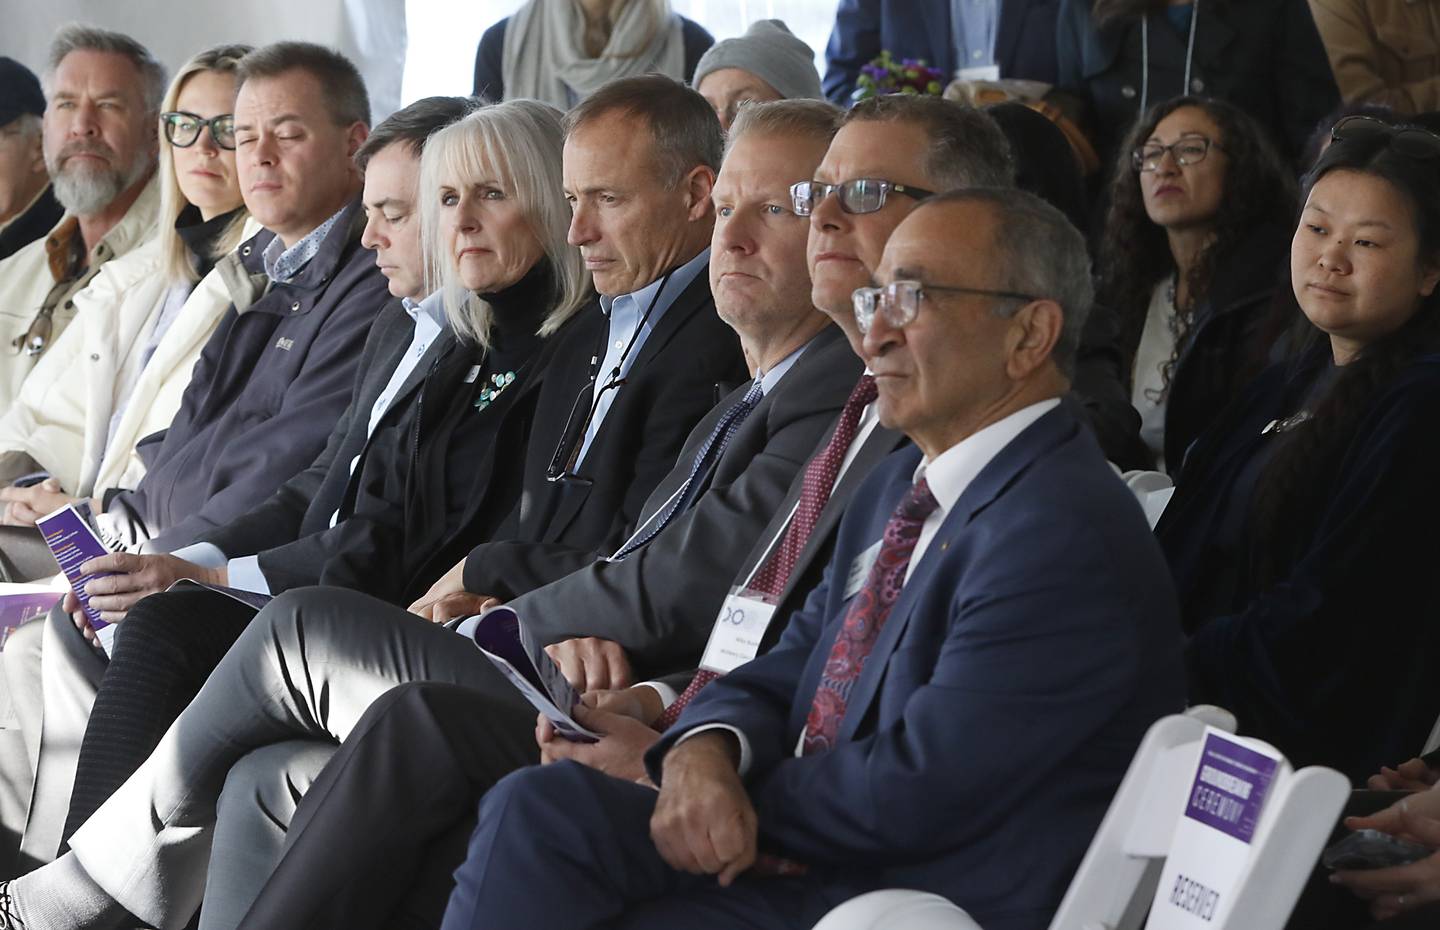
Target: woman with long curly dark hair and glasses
pixel 1196 235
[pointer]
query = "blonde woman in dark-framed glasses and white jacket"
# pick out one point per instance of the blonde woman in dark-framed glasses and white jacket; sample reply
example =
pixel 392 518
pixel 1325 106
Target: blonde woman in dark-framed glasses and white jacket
pixel 117 374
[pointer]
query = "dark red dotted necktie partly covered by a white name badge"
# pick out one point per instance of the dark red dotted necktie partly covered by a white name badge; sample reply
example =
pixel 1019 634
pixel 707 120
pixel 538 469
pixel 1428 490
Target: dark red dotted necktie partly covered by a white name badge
pixel 816 490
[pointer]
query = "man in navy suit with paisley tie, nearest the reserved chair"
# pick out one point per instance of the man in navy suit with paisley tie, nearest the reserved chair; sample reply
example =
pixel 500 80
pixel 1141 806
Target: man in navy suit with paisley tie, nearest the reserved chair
pixel 957 702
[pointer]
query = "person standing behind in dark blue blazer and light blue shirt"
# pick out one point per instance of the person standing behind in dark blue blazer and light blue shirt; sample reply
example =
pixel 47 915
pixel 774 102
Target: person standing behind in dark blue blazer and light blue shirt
pixel 1014 38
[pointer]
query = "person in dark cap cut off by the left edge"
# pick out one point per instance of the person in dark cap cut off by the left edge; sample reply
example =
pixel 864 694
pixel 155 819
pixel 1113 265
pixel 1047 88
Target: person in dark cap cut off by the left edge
pixel 28 205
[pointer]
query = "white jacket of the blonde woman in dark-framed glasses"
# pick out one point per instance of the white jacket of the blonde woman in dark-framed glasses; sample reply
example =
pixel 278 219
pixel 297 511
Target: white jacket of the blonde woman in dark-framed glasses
pixel 63 415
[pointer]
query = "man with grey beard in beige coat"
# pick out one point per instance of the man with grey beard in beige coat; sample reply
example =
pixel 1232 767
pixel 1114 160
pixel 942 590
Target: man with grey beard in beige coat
pixel 103 99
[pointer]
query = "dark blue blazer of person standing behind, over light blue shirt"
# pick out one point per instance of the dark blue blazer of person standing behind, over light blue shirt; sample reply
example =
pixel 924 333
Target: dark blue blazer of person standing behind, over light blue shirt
pixel 1025 40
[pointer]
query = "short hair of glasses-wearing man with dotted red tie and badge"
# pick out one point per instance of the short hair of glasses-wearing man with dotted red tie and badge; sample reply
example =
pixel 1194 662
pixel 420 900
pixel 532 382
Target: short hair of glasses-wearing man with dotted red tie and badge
pixel 967 148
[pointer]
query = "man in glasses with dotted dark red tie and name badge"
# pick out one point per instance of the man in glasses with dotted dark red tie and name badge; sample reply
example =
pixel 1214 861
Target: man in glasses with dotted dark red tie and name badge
pixel 437 735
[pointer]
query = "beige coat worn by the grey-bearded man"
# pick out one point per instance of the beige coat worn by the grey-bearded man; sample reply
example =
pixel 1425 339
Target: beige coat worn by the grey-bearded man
pixel 27 283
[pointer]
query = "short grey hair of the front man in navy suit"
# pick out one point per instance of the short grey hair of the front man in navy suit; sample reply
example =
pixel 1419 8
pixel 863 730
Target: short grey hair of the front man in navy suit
pixel 1040 253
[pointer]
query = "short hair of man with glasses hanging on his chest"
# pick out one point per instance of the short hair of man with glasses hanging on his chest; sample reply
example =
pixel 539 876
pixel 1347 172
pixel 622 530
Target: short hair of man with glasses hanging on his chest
pixel 685 127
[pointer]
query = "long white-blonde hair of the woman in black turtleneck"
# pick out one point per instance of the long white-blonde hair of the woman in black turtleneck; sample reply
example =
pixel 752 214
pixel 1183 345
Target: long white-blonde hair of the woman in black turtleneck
pixel 521 142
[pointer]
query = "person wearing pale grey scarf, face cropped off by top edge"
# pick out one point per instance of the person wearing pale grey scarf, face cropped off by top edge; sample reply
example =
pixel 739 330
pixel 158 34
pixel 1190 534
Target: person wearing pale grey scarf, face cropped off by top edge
pixel 535 53
